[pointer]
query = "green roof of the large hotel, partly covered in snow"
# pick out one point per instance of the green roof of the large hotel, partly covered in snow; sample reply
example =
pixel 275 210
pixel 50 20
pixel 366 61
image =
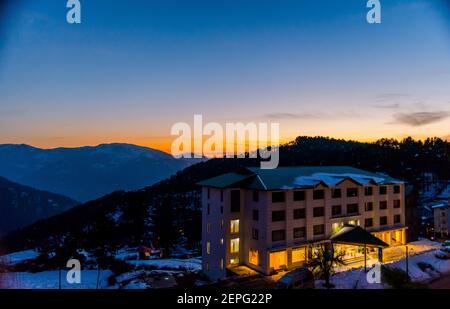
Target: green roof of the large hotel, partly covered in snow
pixel 296 177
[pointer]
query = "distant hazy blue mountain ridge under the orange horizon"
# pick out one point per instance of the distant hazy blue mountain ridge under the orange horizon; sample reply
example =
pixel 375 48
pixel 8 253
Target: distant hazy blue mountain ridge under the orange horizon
pixel 88 172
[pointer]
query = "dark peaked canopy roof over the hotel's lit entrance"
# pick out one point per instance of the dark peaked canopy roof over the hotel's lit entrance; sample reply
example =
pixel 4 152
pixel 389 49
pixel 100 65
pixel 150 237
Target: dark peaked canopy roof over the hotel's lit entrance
pixel 355 235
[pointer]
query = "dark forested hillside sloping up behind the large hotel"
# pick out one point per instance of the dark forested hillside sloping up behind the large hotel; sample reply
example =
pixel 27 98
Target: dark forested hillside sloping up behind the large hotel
pixel 170 211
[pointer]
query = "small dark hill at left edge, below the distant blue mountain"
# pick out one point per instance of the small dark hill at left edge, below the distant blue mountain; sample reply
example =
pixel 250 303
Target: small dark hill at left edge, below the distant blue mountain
pixel 21 205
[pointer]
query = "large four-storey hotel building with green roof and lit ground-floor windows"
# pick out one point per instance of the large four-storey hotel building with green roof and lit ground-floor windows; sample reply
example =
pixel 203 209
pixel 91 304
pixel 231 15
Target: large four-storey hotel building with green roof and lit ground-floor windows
pixel 270 219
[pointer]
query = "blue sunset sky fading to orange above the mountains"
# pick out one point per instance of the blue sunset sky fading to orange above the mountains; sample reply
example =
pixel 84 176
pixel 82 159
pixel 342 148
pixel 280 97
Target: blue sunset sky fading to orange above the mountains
pixel 134 68
